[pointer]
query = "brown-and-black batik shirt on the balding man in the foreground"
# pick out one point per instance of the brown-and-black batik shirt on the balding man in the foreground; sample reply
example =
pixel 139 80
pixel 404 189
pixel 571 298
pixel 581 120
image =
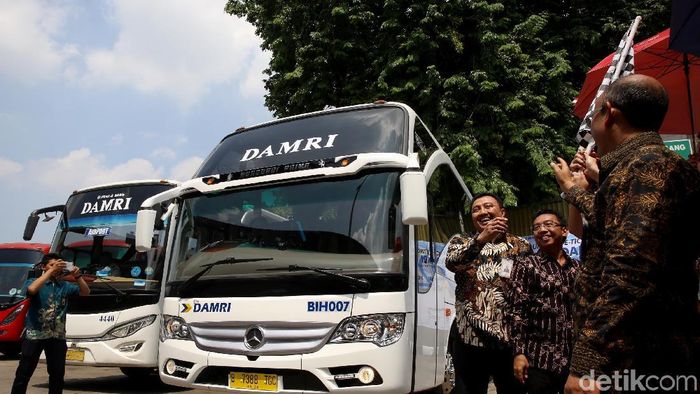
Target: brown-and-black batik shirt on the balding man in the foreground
pixel 635 296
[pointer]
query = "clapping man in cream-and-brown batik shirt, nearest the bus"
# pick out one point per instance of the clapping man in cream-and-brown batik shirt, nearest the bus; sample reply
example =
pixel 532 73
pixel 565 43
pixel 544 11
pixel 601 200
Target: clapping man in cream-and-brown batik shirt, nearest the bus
pixel 482 264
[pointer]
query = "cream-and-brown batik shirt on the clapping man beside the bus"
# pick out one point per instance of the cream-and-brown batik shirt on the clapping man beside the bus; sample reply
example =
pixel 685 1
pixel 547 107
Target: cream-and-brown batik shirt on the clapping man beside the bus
pixel 482 275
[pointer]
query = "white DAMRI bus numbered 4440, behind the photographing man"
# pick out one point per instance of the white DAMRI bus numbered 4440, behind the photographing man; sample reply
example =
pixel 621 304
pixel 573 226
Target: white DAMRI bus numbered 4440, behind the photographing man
pixel 116 325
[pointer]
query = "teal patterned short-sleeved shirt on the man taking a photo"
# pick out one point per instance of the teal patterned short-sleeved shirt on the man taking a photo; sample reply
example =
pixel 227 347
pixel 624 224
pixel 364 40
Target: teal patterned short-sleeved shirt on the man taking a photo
pixel 46 317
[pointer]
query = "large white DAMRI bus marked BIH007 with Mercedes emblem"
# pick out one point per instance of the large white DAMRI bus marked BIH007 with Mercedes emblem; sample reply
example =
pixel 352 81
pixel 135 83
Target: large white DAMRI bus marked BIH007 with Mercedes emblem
pixel 306 257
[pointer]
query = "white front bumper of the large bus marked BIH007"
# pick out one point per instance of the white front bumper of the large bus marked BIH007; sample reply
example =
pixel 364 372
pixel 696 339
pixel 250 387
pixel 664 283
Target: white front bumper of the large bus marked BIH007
pixel 333 368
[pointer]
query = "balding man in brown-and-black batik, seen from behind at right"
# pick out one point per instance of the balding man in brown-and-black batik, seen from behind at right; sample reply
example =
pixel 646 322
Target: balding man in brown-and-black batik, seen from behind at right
pixel 635 297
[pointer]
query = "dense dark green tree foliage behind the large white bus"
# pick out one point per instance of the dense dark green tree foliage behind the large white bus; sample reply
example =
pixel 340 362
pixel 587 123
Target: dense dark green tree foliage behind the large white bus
pixel 493 80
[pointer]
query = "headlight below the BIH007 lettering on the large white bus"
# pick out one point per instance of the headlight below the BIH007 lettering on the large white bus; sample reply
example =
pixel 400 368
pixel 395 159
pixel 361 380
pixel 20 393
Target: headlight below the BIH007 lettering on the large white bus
pixel 380 329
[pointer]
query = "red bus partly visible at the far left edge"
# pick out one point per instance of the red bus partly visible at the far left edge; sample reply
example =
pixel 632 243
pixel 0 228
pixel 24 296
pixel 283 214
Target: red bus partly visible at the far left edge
pixel 16 261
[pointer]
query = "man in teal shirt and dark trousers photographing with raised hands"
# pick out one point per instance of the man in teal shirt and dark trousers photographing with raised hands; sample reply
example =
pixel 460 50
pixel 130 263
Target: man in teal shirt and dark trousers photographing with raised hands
pixel 45 324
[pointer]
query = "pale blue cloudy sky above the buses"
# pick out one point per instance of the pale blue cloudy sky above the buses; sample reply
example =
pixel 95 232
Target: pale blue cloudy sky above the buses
pixel 93 92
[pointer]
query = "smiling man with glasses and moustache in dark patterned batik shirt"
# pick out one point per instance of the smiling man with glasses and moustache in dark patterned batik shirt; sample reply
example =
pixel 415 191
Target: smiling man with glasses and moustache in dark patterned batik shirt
pixel 541 300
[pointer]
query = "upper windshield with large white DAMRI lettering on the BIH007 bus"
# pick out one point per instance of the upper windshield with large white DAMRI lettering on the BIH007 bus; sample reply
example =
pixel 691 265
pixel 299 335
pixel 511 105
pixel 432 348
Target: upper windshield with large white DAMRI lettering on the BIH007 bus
pixel 321 136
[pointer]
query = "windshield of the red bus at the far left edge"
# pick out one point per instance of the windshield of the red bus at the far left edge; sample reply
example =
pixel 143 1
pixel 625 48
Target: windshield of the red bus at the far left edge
pixel 15 265
